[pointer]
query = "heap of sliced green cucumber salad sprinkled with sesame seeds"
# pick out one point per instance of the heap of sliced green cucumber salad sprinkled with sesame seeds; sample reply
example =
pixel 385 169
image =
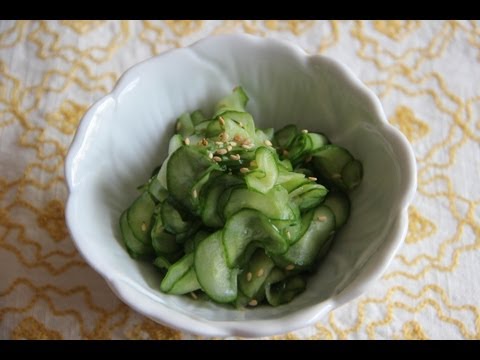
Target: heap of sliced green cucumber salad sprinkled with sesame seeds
pixel 238 214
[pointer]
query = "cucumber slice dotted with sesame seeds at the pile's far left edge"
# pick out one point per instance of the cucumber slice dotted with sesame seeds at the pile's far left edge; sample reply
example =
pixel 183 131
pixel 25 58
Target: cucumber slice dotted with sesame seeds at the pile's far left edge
pixel 139 216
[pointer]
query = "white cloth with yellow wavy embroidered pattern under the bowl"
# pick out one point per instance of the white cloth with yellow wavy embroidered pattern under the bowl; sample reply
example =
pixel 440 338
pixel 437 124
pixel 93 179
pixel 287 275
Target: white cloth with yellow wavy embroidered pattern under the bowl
pixel 427 75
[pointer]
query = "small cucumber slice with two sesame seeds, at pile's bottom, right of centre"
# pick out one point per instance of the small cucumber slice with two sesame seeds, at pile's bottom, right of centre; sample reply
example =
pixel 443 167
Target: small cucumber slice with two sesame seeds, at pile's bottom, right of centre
pixel 252 278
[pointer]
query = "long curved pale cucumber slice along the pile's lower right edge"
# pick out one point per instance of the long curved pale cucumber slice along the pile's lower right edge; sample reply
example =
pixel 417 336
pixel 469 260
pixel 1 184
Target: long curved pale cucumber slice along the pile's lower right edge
pixel 303 253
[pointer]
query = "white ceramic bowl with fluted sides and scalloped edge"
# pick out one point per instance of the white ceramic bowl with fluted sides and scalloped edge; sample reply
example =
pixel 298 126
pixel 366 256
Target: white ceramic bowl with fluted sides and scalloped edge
pixel 124 136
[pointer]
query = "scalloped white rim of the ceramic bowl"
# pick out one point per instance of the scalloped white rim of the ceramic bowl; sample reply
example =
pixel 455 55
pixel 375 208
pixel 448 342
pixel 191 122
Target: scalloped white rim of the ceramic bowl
pixel 370 272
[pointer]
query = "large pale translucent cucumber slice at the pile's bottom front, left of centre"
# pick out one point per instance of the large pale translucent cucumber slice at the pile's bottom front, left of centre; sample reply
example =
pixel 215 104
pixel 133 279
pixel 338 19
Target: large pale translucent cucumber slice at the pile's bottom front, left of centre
pixel 213 273
